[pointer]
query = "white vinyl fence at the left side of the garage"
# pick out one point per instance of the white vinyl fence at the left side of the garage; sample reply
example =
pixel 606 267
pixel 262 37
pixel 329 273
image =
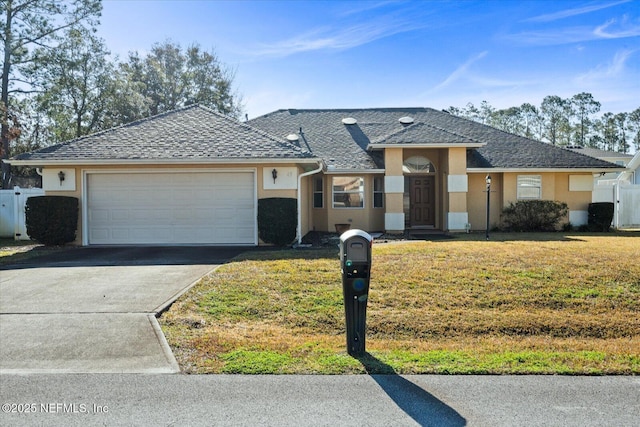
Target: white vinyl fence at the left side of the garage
pixel 12 217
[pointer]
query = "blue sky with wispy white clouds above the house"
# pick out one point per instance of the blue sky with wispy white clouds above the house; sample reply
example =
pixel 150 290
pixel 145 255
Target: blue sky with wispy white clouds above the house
pixel 338 54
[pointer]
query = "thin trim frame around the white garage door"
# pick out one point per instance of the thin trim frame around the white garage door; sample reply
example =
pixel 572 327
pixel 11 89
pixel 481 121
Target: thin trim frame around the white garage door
pixel 85 195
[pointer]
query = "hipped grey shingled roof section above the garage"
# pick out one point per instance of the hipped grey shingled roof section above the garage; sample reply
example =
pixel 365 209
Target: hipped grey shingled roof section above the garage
pixel 193 133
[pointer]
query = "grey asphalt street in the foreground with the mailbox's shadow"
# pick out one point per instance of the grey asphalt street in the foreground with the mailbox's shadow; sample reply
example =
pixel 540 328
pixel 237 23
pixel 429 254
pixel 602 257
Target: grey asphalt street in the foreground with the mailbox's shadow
pixel 309 400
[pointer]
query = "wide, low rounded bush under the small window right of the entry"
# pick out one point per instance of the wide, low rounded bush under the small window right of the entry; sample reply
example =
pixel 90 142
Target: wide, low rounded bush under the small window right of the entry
pixel 534 215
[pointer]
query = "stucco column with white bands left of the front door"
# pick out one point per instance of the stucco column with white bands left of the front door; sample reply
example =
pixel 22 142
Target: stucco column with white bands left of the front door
pixel 393 191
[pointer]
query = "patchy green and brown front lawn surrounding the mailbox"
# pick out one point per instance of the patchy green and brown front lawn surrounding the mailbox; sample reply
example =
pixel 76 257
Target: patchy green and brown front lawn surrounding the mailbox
pixel 518 304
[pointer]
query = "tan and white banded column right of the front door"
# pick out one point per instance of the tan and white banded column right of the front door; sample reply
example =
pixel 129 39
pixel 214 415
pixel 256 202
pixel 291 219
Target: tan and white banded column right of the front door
pixel 457 188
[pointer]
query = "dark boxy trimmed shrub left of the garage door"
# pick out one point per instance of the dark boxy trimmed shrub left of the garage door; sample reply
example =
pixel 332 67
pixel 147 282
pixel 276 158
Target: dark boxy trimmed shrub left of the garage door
pixel 52 220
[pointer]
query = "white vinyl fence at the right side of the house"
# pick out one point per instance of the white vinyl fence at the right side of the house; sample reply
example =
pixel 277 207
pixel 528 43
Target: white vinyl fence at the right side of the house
pixel 626 199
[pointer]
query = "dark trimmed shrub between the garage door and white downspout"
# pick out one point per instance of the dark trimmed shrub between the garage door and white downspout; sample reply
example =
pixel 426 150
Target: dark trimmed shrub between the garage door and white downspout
pixel 277 220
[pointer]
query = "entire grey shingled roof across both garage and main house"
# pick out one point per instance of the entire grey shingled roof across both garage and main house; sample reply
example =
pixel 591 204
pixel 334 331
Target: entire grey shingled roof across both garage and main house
pixel 198 134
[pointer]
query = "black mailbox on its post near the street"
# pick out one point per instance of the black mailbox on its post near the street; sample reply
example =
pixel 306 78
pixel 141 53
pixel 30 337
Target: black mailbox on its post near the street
pixel 355 262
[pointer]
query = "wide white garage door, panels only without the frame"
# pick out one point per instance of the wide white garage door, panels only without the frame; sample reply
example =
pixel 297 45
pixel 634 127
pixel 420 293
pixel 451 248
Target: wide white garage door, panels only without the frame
pixel 171 208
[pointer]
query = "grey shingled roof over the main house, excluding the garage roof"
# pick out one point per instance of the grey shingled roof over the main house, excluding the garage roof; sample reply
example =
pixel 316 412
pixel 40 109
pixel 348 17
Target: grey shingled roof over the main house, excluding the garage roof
pixel 355 146
